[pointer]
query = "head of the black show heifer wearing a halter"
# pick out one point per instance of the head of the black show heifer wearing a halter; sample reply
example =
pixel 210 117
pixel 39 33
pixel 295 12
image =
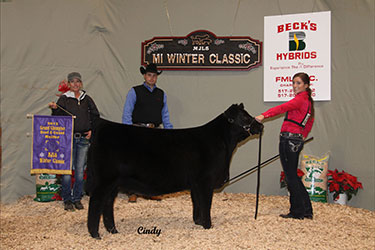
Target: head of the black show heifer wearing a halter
pixel 242 123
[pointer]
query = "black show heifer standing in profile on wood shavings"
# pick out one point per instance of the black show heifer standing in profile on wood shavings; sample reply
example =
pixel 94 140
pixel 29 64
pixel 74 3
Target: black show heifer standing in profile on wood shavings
pixel 159 161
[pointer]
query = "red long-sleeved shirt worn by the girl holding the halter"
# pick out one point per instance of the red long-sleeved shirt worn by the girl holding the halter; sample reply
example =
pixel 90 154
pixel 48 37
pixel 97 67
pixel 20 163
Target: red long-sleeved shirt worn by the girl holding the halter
pixel 297 108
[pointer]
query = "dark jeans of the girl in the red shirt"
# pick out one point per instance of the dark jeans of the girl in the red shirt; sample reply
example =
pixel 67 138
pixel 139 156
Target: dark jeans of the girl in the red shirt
pixel 290 148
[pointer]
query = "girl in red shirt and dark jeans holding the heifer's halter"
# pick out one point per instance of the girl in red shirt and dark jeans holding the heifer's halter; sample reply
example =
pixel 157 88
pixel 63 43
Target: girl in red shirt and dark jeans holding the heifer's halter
pixel 297 124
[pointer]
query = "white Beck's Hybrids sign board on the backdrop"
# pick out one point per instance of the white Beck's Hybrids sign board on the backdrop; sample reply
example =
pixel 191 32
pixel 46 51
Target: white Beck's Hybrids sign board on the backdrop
pixel 297 43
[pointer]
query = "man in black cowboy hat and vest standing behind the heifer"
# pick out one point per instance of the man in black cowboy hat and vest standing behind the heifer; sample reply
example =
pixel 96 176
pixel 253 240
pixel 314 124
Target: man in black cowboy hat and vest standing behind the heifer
pixel 146 105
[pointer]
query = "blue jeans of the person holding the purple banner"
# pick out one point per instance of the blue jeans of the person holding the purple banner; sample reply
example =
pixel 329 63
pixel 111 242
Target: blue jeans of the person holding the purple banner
pixel 79 156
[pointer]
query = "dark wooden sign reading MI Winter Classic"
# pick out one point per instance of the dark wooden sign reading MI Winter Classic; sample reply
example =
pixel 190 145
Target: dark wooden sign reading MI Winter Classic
pixel 202 50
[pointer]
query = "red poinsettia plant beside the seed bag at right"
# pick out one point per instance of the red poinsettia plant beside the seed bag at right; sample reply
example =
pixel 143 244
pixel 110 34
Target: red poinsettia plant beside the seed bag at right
pixel 342 182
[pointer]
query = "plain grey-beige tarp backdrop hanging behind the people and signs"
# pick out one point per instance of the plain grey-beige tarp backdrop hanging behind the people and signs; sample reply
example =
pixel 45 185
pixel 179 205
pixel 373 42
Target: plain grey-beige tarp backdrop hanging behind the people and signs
pixel 42 41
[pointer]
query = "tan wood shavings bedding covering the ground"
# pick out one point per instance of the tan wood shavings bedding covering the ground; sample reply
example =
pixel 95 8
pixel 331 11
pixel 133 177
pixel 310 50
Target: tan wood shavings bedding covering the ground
pixel 33 225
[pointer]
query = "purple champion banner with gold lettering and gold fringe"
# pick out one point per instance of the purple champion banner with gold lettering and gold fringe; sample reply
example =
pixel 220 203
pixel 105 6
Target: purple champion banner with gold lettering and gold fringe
pixel 52 145
